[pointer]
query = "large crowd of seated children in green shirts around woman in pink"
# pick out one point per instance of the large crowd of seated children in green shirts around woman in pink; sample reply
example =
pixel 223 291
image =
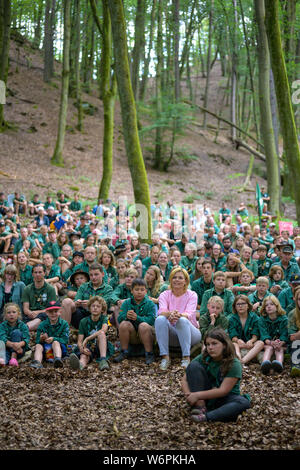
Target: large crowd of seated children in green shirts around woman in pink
pixel 245 278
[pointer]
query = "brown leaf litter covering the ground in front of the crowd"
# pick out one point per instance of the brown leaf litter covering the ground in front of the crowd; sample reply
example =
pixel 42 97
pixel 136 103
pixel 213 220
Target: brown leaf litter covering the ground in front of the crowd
pixel 136 407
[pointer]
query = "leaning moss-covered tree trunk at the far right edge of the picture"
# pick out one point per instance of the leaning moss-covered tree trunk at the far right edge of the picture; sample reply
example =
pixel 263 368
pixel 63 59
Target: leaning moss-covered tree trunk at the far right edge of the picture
pixel 286 115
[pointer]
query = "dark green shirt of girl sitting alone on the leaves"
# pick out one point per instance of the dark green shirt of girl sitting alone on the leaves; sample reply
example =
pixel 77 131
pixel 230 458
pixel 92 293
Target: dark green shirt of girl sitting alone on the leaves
pixel 213 369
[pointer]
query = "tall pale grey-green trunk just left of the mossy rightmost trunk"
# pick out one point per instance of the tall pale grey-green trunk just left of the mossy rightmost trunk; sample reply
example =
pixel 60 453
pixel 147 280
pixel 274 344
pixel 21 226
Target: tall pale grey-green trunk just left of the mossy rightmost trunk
pixel 265 109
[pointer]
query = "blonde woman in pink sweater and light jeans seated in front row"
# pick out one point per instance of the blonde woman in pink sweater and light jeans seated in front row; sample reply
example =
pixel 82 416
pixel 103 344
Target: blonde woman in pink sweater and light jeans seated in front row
pixel 176 323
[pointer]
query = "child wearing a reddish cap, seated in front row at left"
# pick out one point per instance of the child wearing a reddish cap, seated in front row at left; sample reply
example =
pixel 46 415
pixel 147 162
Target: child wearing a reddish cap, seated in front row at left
pixel 52 337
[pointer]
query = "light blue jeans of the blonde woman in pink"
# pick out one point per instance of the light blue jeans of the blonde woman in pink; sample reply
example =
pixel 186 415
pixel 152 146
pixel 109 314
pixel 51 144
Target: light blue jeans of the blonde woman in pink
pixel 182 334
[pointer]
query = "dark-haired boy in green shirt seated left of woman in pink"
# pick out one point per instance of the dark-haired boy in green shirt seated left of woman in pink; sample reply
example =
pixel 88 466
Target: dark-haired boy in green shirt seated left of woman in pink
pixel 136 320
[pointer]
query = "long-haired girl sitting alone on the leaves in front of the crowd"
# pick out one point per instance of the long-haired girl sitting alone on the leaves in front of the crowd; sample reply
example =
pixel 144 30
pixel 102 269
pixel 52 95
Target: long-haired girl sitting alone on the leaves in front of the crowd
pixel 211 384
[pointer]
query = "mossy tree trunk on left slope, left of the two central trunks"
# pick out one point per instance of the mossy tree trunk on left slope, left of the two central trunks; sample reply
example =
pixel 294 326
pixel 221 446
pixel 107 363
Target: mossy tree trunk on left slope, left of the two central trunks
pixel 57 158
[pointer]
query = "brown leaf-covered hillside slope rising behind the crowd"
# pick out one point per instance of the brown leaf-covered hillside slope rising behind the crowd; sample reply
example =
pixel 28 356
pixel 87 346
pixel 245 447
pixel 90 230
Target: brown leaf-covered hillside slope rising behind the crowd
pixel 26 152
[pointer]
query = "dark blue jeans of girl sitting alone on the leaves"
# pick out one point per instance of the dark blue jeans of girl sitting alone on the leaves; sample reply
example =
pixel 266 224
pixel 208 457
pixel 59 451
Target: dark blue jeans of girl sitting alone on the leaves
pixel 226 408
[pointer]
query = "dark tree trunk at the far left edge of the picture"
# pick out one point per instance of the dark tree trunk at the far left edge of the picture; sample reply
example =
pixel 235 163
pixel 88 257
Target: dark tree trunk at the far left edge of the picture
pixel 5 20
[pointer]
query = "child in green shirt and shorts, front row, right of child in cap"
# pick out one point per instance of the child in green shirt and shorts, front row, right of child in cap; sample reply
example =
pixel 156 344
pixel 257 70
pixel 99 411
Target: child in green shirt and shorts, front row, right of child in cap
pixel 92 341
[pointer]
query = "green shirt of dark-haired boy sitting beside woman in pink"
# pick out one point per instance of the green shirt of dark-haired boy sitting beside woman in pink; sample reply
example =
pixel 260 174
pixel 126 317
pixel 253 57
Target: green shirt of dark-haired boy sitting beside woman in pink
pixel 145 311
